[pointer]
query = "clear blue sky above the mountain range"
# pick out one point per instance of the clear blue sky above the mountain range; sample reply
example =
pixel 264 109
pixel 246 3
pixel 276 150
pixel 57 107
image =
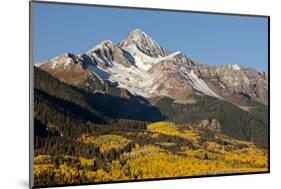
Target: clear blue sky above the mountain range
pixel 207 38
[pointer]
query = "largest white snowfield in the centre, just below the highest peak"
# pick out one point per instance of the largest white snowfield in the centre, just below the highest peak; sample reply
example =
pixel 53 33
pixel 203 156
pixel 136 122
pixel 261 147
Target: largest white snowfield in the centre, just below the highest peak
pixel 135 78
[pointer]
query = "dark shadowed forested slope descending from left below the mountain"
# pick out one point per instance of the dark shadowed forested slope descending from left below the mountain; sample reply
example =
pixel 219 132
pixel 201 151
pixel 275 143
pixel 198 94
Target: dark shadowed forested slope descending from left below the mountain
pixel 95 107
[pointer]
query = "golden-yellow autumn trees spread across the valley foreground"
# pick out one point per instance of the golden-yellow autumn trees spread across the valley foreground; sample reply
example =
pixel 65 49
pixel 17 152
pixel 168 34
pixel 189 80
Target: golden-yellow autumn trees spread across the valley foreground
pixel 219 155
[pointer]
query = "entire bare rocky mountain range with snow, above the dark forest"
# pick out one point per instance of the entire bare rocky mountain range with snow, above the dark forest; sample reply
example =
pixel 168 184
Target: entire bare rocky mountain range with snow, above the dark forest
pixel 141 66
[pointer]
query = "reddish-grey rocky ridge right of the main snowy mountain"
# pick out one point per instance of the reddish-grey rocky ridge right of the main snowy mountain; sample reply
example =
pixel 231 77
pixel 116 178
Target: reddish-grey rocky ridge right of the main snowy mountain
pixel 233 82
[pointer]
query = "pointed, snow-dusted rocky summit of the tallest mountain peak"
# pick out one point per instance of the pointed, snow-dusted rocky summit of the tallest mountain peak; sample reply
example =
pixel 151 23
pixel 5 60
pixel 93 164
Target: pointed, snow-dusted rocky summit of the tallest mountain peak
pixel 144 43
